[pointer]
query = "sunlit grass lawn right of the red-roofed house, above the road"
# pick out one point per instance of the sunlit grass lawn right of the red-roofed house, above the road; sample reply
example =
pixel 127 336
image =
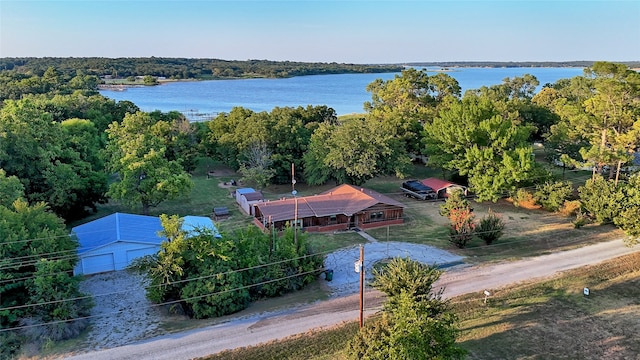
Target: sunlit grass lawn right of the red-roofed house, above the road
pixel 528 232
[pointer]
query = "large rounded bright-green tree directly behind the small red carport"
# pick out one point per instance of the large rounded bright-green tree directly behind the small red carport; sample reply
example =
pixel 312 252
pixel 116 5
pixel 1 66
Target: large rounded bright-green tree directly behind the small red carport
pixel 472 138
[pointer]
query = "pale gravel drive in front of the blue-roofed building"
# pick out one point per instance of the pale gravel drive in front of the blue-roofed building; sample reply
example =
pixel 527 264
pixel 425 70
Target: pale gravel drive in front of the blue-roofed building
pixel 122 313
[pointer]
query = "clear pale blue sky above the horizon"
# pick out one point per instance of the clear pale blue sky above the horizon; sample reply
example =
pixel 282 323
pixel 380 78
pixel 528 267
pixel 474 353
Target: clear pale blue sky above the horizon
pixel 346 31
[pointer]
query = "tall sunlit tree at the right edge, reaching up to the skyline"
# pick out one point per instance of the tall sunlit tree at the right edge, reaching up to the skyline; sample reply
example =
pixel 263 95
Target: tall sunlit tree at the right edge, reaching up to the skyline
pixel 599 117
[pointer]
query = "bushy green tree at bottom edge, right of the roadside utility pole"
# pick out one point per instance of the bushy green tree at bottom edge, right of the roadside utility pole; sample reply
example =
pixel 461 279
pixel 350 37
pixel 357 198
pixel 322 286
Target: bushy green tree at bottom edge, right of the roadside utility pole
pixel 415 324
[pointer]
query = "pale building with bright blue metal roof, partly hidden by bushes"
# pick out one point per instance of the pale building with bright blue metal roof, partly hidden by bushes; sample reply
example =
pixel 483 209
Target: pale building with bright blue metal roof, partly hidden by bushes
pixel 114 241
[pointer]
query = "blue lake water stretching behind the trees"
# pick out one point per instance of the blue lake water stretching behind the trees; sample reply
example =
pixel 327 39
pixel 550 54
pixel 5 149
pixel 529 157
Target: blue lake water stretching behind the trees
pixel 345 93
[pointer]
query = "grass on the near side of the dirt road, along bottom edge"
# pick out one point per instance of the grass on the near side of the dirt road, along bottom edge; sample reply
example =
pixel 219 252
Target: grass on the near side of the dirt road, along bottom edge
pixel 549 319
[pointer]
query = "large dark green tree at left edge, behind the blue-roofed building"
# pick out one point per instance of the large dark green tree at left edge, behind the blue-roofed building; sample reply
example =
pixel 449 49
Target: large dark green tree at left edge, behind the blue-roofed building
pixel 56 163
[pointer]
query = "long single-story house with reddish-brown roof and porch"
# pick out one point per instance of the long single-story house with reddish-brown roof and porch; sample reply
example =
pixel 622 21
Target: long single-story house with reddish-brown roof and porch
pixel 340 208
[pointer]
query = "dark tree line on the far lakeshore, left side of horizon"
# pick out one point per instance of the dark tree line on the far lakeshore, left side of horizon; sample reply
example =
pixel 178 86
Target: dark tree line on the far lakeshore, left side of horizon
pixel 184 68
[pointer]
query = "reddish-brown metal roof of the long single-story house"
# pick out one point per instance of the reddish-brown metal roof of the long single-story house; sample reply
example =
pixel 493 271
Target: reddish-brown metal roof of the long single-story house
pixel 344 199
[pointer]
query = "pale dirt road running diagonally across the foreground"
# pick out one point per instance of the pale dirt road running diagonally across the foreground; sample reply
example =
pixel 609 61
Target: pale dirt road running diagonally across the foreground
pixel 252 331
